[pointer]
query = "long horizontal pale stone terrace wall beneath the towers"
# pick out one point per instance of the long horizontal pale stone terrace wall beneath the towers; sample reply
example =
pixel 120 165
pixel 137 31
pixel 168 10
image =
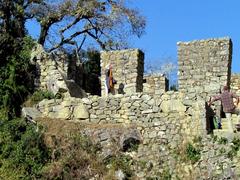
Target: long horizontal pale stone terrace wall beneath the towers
pixel 169 112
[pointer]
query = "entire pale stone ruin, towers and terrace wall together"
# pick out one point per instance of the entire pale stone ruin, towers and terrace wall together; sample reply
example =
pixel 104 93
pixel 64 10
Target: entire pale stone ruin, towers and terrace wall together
pixel 163 118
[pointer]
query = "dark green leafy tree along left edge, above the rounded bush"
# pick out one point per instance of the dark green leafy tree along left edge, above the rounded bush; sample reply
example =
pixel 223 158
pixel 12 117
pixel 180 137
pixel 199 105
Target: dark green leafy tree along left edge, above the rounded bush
pixel 15 70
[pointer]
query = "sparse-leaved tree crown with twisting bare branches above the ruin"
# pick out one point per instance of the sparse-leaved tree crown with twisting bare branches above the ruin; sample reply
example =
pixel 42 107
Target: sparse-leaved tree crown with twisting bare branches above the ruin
pixel 72 22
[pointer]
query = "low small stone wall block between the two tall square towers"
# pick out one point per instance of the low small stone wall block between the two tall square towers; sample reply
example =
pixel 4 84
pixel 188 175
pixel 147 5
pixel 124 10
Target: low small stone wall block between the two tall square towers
pixel 155 84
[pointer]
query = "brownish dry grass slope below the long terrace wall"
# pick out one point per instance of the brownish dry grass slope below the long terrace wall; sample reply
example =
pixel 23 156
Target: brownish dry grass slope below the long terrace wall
pixel 73 156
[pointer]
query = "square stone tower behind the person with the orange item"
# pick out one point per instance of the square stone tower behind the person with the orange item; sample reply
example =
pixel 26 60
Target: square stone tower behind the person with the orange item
pixel 127 66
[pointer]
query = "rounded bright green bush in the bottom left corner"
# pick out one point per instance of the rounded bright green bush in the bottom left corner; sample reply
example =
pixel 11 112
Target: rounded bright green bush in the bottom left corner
pixel 22 150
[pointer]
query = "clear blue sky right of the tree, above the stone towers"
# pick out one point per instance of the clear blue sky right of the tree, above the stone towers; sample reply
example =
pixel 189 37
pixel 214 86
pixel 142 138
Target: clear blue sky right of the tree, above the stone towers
pixel 170 21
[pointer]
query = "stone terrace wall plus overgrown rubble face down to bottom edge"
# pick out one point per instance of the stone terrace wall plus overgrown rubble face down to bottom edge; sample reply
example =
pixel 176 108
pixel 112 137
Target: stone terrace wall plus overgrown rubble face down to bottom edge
pixel 164 124
